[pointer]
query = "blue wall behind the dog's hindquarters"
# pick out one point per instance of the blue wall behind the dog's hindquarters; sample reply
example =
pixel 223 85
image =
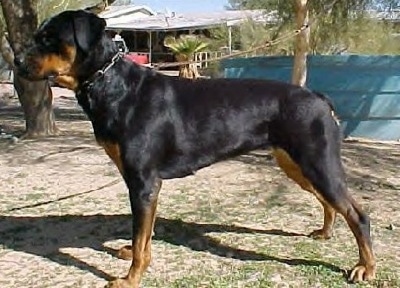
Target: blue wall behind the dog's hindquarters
pixel 364 89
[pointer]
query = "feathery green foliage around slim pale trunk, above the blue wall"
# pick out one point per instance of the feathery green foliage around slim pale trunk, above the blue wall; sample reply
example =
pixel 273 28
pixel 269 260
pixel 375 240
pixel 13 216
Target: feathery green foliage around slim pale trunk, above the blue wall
pixel 333 22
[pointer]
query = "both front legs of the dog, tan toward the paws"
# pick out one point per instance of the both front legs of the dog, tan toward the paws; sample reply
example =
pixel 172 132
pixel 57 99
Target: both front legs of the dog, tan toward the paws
pixel 143 194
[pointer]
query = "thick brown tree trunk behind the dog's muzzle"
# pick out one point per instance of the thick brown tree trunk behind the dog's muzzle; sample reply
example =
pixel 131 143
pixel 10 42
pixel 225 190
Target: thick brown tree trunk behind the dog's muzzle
pixel 35 97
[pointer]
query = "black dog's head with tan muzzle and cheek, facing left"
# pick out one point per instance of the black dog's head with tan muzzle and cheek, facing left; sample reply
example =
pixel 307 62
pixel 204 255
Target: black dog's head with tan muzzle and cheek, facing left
pixel 59 44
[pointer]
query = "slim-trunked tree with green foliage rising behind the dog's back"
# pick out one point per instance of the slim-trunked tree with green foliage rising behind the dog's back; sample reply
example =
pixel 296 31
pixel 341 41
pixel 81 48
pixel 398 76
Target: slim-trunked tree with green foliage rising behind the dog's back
pixel 332 23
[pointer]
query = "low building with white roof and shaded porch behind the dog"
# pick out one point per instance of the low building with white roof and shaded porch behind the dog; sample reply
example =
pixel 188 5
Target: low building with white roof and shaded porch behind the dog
pixel 144 31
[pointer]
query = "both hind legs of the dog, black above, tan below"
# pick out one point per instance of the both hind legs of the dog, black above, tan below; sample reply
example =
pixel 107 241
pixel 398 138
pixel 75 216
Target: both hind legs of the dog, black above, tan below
pixel 324 177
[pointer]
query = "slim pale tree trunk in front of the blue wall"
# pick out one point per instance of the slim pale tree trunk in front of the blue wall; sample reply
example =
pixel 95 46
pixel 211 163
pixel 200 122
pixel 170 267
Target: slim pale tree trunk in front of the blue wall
pixel 299 74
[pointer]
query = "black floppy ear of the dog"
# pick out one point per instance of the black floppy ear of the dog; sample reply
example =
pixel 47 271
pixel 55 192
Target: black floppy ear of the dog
pixel 88 29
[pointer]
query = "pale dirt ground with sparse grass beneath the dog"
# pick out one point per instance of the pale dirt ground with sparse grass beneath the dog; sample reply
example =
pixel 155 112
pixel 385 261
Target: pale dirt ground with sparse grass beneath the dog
pixel 64 208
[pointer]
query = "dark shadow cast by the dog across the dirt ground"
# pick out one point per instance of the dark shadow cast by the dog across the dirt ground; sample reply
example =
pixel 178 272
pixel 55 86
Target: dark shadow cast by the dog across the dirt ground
pixel 45 236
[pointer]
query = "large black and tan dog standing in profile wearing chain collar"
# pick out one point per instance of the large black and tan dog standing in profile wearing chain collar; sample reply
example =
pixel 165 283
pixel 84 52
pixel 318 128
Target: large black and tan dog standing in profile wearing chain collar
pixel 156 127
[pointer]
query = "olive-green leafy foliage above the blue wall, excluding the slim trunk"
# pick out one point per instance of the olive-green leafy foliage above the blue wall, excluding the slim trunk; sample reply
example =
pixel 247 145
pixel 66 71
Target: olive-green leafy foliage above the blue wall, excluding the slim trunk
pixel 336 25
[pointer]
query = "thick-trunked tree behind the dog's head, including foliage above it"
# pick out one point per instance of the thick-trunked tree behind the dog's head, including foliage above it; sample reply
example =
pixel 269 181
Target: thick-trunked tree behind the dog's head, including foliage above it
pixel 21 20
